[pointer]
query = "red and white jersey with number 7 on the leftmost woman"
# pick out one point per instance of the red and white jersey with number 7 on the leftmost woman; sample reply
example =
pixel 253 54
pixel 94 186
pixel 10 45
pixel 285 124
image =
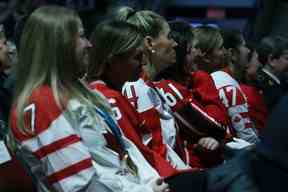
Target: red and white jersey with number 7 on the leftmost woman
pixel 72 147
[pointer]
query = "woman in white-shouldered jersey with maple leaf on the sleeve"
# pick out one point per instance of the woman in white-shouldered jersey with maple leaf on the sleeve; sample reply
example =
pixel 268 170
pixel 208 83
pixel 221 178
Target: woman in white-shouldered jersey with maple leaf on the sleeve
pixel 213 59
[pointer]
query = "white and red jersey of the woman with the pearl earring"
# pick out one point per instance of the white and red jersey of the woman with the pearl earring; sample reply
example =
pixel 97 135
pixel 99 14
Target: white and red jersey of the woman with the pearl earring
pixel 158 118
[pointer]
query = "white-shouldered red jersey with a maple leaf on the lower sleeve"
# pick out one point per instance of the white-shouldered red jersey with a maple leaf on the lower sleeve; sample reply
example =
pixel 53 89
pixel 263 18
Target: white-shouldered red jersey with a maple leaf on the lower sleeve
pixel 236 104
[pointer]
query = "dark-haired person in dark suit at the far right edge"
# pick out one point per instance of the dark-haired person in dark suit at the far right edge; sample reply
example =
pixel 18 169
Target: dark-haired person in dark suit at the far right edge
pixel 271 79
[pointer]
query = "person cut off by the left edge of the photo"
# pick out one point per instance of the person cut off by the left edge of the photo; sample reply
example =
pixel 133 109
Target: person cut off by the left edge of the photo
pixel 12 175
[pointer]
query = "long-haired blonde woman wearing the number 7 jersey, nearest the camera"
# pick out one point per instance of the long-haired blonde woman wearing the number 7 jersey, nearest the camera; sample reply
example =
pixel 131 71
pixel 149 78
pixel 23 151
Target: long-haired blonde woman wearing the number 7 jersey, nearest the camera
pixel 59 125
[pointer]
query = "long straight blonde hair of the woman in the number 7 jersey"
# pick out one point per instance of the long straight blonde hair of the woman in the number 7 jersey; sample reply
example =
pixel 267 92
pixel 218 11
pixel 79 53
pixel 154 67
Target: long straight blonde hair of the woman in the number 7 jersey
pixel 47 56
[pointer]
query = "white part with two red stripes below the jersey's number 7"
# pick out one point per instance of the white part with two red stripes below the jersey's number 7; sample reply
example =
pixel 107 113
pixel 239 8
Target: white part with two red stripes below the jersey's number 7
pixel 65 160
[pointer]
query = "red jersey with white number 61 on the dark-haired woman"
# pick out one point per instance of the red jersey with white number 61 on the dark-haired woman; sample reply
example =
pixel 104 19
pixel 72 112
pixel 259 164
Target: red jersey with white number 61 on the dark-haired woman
pixel 199 93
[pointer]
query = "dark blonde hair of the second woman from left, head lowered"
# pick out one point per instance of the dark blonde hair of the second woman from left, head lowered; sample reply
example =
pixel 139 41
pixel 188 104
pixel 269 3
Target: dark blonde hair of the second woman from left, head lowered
pixel 109 39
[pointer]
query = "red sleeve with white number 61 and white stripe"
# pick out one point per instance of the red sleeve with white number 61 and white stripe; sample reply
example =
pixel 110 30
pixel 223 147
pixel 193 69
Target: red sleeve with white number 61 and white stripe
pixel 187 105
